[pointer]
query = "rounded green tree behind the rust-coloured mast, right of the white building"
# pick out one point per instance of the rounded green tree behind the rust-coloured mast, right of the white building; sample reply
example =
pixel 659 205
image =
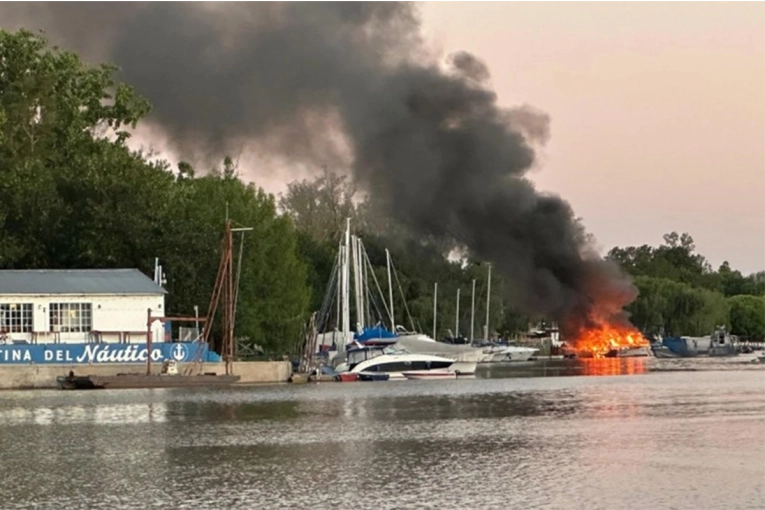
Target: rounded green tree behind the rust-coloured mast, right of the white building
pixel 273 294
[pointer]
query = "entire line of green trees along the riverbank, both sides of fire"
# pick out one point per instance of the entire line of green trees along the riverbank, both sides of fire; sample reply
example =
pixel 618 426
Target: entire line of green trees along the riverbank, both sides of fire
pixel 74 195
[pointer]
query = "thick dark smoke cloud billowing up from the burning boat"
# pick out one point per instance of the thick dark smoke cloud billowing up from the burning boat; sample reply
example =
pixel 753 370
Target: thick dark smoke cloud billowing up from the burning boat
pixel 432 143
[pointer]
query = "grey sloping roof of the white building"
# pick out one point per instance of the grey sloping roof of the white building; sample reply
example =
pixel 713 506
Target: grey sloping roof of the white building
pixel 77 281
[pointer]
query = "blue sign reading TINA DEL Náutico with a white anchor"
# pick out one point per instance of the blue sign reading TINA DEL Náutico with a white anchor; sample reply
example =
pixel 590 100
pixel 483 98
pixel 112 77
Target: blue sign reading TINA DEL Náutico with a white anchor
pixel 20 354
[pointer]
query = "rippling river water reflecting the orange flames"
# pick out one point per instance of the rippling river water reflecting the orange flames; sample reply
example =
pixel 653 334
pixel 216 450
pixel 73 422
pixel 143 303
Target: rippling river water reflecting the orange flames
pixel 663 434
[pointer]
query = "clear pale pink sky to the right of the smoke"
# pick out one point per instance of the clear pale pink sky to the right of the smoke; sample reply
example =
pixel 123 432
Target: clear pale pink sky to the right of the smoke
pixel 658 111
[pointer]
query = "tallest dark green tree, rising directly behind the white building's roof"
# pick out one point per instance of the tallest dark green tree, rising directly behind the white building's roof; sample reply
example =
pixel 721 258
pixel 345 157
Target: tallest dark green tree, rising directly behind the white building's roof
pixel 63 147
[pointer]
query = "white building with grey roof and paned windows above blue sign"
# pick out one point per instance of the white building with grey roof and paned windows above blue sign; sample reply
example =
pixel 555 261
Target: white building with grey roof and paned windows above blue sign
pixel 79 305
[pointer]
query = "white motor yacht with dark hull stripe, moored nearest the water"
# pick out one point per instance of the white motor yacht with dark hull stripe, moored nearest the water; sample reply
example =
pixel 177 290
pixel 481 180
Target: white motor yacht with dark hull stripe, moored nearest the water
pixel 395 361
